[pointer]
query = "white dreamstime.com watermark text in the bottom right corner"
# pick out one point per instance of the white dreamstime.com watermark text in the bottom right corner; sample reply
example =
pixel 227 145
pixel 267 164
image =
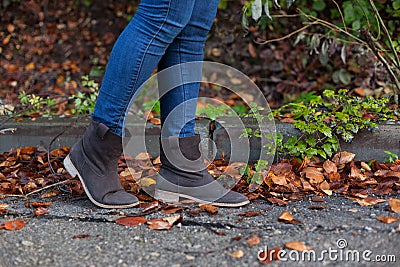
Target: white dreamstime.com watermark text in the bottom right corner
pixel 339 253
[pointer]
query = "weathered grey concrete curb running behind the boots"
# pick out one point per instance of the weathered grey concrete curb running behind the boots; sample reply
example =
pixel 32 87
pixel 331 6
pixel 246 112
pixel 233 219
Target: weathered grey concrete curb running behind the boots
pixel 40 132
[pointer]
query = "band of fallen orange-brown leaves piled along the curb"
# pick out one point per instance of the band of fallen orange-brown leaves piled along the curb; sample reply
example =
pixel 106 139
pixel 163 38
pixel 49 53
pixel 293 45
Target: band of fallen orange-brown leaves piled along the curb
pixel 26 171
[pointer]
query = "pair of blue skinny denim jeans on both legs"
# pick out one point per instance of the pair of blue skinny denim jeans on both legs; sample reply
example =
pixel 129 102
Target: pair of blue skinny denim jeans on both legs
pixel 163 33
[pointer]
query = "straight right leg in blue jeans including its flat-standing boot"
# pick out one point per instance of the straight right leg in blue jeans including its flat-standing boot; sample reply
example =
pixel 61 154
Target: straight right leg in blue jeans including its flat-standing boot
pixel 183 173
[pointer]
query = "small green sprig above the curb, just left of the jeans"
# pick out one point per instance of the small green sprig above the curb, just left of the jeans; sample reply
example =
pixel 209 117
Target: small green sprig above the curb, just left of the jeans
pixel 85 102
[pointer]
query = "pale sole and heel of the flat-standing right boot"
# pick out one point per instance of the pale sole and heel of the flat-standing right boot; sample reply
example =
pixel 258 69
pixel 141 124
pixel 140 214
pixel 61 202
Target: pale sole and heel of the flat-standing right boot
pixel 172 197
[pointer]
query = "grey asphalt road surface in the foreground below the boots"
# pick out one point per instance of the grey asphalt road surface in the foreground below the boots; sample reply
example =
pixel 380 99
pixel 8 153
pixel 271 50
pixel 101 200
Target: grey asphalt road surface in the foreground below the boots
pixel 203 240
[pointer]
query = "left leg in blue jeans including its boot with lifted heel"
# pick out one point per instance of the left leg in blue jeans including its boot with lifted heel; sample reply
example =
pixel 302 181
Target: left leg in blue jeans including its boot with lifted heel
pixel 94 159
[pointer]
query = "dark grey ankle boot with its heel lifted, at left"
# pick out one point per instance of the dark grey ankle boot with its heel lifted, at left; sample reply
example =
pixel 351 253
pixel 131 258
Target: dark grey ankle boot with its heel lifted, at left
pixel 94 159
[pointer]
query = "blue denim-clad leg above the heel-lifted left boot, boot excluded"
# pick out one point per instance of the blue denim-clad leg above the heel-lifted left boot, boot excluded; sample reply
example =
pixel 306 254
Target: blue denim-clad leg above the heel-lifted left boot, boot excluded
pixel 136 54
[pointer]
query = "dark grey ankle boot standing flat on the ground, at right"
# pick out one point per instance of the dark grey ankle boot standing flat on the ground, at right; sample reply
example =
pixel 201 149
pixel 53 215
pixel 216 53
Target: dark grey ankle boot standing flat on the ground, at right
pixel 183 174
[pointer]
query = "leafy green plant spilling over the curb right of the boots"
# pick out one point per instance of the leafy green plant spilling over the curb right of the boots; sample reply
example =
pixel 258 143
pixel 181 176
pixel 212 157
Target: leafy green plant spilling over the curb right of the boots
pixel 323 119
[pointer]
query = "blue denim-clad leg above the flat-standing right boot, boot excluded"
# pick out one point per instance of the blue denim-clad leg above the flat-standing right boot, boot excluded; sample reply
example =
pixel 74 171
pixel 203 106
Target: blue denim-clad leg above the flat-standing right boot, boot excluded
pixel 188 46
